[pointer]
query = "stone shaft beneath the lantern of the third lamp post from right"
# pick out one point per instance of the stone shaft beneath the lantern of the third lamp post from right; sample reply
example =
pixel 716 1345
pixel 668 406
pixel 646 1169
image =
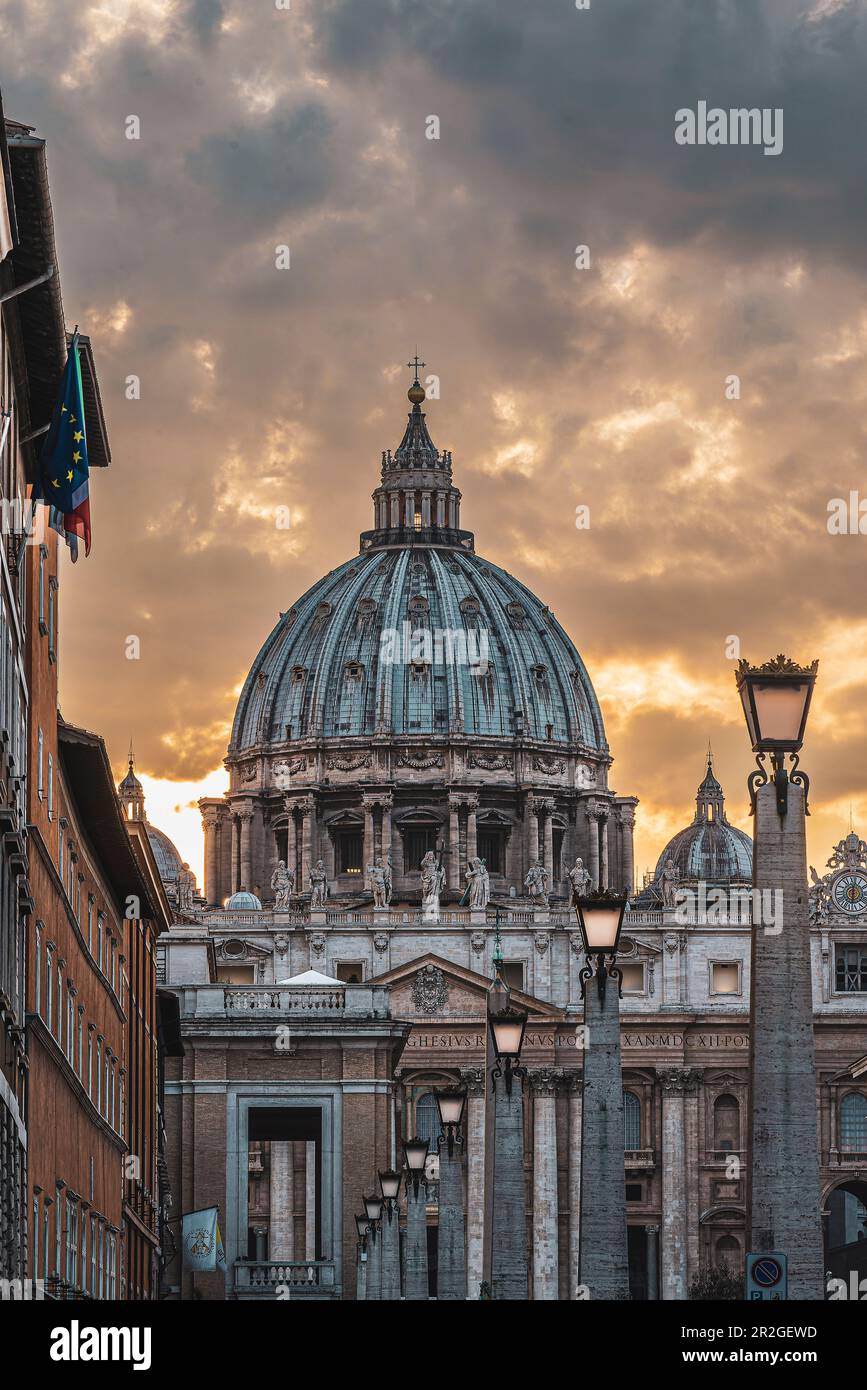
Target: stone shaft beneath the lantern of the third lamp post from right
pixel 509 1267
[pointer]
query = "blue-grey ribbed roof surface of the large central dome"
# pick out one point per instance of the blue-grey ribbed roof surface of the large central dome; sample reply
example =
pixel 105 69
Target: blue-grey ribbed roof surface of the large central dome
pixel 323 671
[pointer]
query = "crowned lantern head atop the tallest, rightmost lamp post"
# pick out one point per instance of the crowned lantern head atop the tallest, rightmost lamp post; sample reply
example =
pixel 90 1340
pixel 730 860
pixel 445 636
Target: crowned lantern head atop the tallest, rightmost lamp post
pixel 776 700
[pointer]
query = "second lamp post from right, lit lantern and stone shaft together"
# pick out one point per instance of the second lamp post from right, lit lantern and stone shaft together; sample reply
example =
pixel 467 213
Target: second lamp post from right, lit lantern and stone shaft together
pixel 604 1249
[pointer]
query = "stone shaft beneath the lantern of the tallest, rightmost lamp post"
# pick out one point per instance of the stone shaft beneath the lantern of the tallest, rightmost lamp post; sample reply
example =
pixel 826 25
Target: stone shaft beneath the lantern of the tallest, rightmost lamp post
pixel 784 1154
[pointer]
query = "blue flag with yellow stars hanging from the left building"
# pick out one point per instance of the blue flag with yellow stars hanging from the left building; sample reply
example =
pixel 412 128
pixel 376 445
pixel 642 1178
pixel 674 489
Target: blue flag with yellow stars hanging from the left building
pixel 63 466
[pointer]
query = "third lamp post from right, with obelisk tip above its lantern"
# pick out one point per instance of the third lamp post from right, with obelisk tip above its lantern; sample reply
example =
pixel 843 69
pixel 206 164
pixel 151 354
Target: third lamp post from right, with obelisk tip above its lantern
pixel 509 1259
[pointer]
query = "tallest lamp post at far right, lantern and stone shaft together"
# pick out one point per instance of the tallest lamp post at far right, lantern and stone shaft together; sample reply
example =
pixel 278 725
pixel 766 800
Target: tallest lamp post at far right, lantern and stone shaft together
pixel 784 1189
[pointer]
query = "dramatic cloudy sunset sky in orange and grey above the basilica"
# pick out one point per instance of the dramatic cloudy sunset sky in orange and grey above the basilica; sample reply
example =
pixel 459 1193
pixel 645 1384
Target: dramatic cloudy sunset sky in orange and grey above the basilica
pixel 561 387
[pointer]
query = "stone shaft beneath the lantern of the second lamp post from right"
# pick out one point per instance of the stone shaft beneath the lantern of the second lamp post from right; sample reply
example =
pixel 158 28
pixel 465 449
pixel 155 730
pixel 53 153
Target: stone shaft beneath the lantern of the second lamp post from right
pixel 605 1263
